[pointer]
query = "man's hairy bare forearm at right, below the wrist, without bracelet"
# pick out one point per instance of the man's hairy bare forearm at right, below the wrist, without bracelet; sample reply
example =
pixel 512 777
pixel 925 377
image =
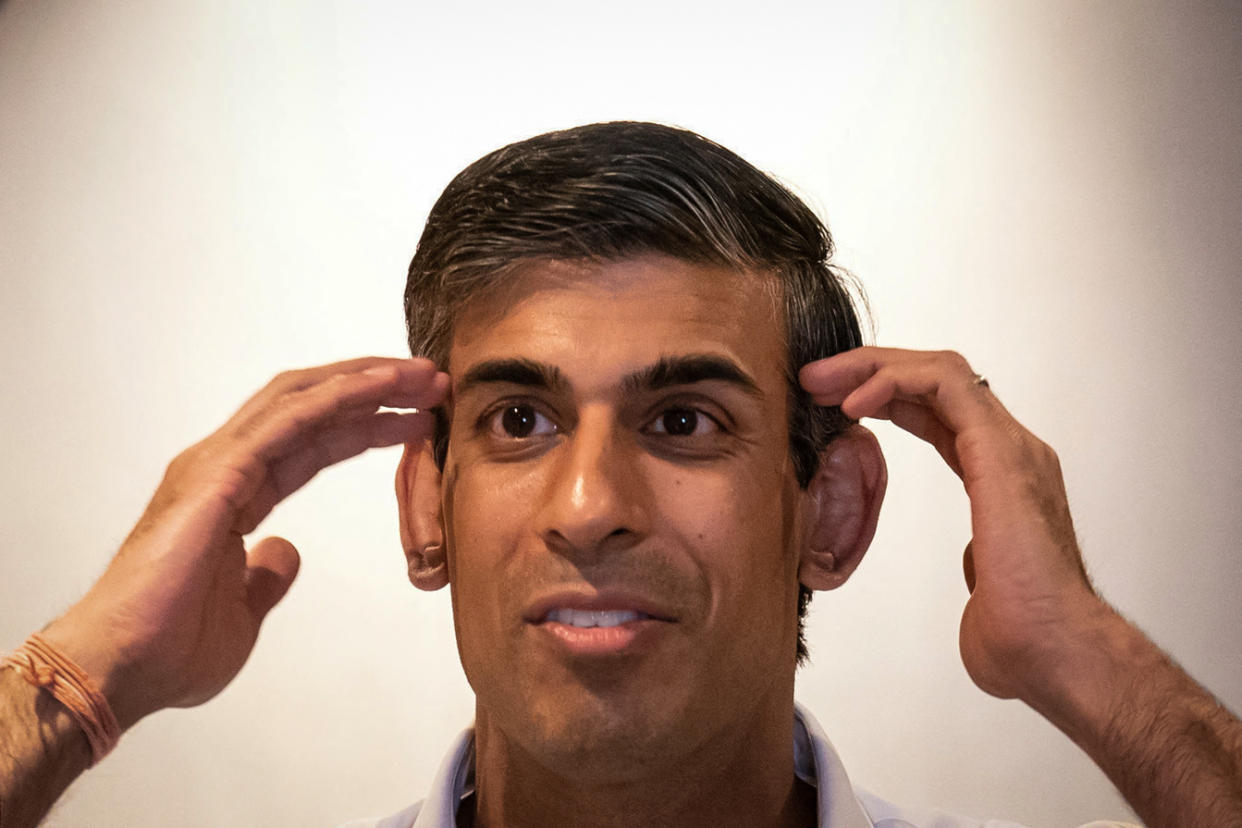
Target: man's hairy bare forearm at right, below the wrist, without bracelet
pixel 1171 748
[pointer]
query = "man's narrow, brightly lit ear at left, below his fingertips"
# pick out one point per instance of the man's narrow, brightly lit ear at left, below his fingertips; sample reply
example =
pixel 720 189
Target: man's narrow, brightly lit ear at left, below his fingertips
pixel 418 501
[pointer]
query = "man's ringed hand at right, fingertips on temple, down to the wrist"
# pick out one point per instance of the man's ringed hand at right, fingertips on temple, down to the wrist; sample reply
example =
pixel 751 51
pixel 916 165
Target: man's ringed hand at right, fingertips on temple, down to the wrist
pixel 1029 590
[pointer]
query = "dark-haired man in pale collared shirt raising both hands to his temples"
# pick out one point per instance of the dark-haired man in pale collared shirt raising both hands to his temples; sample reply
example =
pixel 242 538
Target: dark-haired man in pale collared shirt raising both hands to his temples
pixel 639 459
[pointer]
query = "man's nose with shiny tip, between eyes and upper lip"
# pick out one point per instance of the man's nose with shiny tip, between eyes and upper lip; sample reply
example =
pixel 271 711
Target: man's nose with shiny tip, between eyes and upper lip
pixel 596 498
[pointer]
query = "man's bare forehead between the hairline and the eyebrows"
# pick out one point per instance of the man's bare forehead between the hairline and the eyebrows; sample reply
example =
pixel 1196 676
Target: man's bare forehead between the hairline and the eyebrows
pixel 614 317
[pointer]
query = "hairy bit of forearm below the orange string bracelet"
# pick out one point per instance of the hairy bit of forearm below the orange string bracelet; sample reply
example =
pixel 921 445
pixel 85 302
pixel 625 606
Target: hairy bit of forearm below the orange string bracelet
pixel 43 750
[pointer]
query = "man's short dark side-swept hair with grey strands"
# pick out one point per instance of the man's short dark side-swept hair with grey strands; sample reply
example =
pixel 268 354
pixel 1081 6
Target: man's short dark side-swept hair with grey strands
pixel 617 191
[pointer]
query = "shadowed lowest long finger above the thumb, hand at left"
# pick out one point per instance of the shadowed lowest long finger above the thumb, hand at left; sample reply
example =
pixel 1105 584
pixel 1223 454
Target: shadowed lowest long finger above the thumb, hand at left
pixel 281 477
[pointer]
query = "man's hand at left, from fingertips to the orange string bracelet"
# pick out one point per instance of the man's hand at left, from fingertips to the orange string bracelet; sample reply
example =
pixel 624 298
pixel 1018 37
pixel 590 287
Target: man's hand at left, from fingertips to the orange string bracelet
pixel 177 614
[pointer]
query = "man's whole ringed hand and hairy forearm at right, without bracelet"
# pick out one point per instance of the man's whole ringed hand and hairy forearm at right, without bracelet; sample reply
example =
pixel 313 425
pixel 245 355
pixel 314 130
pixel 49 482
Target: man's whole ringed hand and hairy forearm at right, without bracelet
pixel 1034 628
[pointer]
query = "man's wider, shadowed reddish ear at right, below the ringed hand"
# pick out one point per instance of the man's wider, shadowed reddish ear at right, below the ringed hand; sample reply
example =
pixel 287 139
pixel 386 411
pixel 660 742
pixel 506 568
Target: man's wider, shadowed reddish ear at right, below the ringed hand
pixel 843 507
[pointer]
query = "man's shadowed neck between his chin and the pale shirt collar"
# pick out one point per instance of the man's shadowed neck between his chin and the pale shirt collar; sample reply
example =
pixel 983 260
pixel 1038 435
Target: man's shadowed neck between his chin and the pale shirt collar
pixel 740 776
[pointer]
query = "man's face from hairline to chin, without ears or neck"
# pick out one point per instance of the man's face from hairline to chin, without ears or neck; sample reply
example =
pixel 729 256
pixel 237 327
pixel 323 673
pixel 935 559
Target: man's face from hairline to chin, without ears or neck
pixel 622 516
